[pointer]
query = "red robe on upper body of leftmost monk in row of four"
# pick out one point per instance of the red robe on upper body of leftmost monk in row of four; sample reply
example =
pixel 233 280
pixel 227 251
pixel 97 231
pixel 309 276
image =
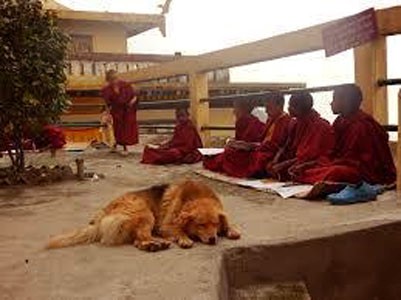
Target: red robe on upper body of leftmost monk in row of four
pixel 249 129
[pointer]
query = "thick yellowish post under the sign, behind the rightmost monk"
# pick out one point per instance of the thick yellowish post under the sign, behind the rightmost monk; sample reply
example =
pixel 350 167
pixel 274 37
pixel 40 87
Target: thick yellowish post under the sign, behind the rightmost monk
pixel 370 66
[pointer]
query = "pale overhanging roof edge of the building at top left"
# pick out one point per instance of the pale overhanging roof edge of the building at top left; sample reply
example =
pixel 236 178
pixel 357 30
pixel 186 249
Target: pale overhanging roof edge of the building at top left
pixel 133 23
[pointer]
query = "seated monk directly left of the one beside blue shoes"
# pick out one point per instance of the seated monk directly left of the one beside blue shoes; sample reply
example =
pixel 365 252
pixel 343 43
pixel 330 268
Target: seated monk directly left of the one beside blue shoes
pixel 310 138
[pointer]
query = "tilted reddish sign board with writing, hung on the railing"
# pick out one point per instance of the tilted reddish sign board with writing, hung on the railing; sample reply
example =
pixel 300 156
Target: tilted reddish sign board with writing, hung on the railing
pixel 350 32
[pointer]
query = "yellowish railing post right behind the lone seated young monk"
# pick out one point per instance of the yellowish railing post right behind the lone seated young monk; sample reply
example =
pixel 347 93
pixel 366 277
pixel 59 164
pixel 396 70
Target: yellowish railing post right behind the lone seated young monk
pixel 198 89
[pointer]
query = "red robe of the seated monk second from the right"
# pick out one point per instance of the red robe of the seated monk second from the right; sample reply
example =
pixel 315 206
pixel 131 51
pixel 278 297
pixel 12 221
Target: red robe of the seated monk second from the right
pixel 311 138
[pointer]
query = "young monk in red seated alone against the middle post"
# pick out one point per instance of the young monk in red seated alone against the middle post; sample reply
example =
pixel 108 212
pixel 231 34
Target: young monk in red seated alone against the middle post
pixel 181 149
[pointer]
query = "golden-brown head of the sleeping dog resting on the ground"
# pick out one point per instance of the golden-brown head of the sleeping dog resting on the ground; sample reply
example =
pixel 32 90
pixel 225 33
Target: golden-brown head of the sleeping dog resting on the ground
pixel 201 221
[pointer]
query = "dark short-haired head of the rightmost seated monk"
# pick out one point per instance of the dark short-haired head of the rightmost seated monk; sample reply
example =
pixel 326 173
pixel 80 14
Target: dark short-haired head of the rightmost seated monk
pixel 347 99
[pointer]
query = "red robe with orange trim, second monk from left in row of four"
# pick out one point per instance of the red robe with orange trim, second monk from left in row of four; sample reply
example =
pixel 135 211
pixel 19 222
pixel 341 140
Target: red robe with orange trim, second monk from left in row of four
pixel 240 163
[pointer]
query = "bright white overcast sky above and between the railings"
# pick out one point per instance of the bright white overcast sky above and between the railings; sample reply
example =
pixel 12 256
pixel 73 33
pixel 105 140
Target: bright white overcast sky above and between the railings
pixel 199 26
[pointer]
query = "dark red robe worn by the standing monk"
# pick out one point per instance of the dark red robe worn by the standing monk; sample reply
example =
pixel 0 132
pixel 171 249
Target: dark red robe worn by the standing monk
pixel 124 116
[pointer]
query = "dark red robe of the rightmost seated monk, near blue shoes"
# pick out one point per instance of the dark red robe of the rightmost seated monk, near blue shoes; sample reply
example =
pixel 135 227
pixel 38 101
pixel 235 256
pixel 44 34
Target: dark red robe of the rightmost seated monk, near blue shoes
pixel 361 153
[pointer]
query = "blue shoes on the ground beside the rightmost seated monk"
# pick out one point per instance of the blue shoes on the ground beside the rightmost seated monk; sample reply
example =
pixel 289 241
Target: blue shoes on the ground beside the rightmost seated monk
pixel 351 195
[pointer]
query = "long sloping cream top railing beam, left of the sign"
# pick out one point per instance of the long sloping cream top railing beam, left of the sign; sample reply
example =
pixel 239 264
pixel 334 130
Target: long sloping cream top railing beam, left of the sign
pixel 292 43
